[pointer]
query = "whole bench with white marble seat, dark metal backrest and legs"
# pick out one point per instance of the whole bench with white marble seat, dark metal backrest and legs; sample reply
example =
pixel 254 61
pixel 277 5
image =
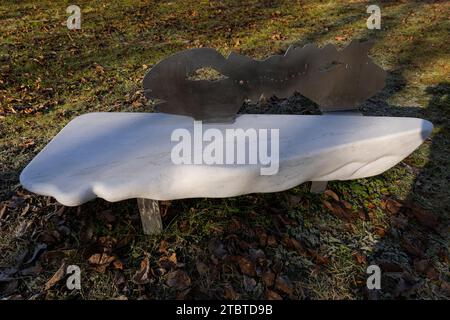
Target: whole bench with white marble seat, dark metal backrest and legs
pixel 117 156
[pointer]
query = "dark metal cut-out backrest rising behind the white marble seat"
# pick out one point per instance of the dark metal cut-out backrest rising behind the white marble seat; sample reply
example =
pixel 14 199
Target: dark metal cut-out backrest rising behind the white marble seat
pixel 334 79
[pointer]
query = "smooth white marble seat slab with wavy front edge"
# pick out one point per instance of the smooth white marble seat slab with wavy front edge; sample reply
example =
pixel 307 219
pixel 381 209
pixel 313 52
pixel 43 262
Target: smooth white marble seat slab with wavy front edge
pixel 117 156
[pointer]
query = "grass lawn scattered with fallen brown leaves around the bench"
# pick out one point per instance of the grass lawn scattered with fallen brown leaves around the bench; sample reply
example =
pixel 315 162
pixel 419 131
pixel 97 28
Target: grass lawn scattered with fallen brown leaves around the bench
pixel 287 245
